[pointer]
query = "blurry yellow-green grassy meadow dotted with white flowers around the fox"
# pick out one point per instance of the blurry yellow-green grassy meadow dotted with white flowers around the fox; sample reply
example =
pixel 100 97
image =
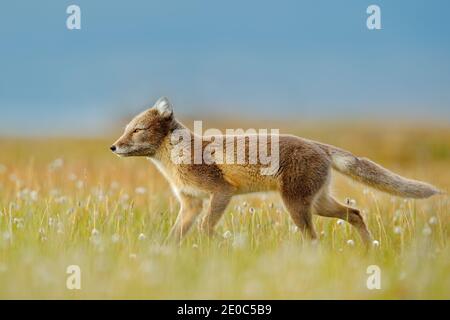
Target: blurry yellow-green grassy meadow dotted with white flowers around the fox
pixel 70 201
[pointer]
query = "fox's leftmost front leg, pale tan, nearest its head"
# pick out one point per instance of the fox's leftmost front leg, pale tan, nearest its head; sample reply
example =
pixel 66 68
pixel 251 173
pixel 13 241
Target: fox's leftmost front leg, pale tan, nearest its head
pixel 190 208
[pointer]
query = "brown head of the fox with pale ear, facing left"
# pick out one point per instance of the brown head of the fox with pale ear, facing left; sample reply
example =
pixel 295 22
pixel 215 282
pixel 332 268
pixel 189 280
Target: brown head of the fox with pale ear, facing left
pixel 145 133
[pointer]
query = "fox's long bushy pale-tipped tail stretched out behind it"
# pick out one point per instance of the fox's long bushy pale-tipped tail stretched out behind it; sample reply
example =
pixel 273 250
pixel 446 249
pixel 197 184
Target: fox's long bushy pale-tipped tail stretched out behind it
pixel 372 174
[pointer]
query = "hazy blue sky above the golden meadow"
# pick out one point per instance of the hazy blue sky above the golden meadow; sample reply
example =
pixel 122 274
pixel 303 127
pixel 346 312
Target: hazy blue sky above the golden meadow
pixel 283 59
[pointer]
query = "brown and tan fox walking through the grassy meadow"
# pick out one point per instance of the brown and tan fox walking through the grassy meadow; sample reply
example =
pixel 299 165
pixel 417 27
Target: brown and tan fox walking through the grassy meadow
pixel 302 178
